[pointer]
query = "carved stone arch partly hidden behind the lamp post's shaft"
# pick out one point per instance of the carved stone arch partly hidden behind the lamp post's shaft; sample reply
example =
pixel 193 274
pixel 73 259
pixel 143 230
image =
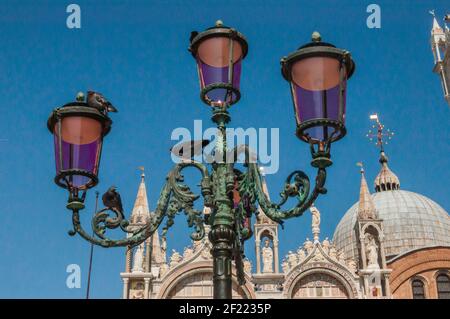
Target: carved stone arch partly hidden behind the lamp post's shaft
pixel 198 268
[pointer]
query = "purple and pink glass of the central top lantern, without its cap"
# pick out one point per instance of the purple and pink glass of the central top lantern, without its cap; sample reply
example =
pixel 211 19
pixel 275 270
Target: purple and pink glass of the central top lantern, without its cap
pixel 213 59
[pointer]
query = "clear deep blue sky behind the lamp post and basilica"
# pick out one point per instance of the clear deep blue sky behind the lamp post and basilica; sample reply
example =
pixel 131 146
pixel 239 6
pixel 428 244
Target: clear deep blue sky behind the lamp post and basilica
pixel 135 52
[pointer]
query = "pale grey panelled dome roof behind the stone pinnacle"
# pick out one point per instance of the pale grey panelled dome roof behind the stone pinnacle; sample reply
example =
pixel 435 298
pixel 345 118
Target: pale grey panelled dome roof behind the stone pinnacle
pixel 410 221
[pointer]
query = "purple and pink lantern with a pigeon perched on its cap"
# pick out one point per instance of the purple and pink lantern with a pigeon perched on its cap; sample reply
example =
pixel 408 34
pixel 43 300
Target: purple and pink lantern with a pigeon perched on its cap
pixel 78 132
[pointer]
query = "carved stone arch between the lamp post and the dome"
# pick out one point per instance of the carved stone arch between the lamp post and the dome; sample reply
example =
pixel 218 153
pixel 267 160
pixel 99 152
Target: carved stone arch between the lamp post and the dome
pixel 339 274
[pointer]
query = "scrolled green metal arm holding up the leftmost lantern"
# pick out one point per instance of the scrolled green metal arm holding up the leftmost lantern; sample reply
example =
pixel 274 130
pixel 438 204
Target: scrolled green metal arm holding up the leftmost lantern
pixel 175 197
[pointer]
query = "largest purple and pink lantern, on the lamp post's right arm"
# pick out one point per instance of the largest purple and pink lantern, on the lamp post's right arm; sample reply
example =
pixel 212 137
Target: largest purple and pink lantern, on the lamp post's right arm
pixel 318 74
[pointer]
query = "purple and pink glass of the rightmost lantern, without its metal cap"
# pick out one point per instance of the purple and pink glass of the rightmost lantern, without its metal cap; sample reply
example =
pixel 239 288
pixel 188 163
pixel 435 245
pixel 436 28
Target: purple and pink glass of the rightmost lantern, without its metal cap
pixel 316 93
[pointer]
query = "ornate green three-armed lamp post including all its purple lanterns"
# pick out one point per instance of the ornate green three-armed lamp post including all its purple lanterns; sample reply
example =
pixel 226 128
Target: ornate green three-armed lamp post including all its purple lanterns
pixel 317 74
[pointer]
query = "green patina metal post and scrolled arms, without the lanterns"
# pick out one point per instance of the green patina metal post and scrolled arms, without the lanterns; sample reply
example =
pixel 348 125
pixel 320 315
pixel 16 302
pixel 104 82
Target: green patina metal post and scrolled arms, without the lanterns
pixel 228 231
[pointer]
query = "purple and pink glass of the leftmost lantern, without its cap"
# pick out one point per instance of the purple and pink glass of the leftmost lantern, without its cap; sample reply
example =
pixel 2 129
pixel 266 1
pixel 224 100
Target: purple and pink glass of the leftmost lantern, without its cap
pixel 80 148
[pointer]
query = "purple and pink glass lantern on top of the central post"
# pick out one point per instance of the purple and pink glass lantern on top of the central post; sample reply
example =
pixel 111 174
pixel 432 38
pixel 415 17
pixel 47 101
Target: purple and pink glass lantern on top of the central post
pixel 219 52
